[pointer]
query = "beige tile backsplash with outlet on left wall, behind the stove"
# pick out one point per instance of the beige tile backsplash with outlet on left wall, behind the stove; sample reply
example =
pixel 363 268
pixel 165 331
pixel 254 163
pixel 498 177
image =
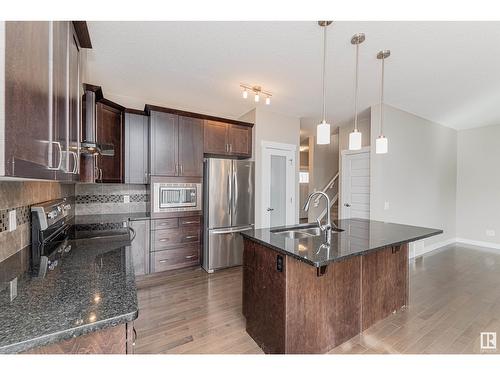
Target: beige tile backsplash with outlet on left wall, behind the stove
pixel 20 196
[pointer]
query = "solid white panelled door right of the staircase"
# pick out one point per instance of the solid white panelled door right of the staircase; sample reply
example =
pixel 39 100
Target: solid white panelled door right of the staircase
pixel 355 199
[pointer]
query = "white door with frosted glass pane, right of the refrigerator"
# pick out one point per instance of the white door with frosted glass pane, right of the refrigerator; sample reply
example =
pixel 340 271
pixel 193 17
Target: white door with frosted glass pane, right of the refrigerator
pixel 278 184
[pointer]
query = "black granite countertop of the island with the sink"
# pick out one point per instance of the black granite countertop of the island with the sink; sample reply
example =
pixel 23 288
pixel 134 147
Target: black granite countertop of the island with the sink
pixel 358 236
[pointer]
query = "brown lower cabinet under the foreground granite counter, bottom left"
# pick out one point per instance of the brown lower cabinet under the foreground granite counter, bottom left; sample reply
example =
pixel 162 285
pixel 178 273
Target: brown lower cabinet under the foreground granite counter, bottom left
pixel 114 340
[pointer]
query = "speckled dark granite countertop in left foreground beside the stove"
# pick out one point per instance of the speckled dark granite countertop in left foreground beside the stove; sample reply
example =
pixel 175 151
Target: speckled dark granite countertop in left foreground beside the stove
pixel 92 287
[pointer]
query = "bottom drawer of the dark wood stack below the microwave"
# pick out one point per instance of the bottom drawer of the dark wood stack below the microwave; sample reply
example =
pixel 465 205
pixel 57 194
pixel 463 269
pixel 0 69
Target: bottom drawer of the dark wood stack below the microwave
pixel 176 258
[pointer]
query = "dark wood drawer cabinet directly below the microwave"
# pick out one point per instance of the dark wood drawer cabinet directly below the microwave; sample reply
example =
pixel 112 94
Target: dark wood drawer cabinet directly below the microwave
pixel 175 243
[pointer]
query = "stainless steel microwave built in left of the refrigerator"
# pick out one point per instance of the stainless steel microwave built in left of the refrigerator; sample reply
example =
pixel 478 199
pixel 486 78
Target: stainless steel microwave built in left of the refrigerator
pixel 174 197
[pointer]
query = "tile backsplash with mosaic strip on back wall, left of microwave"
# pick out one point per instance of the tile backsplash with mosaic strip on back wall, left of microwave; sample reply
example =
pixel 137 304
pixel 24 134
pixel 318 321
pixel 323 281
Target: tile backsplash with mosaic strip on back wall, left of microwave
pixel 94 199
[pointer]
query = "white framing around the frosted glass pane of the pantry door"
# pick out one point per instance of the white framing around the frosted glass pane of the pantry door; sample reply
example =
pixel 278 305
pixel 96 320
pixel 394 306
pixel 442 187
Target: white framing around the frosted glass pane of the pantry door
pixel 290 151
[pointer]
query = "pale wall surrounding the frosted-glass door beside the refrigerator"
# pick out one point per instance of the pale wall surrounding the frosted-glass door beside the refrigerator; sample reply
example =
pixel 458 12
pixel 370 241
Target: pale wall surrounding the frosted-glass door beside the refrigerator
pixel 272 127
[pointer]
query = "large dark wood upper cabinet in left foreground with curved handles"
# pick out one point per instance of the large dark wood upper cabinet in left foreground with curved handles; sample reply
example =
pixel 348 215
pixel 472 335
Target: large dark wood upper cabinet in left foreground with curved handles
pixel 39 129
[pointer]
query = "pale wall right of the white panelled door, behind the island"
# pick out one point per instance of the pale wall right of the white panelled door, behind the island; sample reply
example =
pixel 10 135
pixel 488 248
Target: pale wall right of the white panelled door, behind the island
pixel 418 176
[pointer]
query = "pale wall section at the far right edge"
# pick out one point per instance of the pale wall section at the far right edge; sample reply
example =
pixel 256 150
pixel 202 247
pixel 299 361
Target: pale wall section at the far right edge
pixel 478 184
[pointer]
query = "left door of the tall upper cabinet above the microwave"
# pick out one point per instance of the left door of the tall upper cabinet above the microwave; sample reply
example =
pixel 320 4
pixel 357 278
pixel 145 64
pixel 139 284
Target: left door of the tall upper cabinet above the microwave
pixel 164 129
